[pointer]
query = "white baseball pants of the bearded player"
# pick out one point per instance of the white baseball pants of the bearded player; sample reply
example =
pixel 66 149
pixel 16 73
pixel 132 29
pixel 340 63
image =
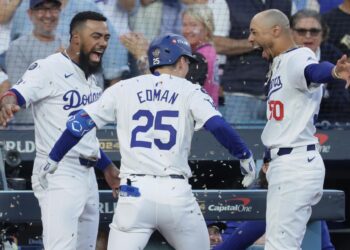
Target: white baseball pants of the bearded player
pixel 69 206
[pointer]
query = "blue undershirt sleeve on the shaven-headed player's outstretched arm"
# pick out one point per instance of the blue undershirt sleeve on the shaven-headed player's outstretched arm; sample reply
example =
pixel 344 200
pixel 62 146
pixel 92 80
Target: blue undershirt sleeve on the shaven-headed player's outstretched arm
pixel 319 72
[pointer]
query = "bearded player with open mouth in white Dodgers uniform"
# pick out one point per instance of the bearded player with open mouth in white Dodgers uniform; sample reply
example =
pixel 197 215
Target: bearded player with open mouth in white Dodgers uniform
pixel 57 87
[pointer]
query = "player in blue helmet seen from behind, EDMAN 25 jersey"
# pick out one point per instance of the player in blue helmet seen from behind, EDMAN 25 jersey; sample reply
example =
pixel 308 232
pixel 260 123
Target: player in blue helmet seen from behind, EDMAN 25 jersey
pixel 156 115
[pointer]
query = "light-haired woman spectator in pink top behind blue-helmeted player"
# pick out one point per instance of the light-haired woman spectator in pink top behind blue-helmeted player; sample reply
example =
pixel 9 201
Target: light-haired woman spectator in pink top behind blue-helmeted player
pixel 198 29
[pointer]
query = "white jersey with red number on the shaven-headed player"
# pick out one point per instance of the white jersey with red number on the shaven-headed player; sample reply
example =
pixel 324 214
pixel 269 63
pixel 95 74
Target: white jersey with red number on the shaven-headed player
pixel 292 105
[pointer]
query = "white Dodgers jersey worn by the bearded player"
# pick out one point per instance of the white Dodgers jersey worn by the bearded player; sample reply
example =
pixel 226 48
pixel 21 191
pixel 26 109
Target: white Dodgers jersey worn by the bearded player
pixel 55 93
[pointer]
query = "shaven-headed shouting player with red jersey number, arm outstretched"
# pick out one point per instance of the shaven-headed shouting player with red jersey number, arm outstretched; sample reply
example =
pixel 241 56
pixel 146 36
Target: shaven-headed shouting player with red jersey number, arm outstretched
pixel 296 173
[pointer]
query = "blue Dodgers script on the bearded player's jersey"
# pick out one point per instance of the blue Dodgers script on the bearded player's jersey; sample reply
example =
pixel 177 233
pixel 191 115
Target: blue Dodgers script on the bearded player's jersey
pixel 75 100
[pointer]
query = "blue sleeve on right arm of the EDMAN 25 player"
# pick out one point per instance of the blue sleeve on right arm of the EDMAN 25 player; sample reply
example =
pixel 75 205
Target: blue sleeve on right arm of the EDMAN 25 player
pixel 228 137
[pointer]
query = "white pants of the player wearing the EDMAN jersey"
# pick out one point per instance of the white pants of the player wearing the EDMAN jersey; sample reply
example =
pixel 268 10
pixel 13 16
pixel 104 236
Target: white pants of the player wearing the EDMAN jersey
pixel 166 205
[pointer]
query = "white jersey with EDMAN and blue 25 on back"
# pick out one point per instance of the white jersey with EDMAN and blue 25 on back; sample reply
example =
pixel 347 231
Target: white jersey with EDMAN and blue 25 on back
pixel 156 117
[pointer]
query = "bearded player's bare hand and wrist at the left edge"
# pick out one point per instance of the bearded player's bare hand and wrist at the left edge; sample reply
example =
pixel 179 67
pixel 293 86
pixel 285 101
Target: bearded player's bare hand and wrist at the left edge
pixel 8 107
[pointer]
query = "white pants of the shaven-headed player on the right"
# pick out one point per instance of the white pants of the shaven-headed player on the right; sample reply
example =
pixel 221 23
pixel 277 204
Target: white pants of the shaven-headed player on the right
pixel 295 184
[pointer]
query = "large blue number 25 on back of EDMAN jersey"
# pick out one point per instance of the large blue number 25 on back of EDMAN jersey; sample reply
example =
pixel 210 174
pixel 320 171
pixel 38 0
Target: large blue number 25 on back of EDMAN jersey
pixel 158 124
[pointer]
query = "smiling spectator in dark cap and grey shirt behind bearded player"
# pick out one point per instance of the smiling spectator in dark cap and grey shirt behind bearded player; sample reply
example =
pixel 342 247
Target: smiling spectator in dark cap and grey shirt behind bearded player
pixel 39 44
